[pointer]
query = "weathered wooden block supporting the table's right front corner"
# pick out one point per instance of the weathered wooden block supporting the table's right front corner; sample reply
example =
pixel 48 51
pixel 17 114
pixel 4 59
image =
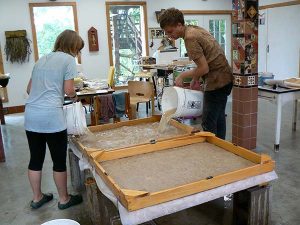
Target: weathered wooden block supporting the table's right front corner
pixel 252 206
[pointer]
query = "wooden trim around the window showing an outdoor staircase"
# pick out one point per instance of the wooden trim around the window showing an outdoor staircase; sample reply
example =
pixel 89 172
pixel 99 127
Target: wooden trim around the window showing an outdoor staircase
pixel 108 4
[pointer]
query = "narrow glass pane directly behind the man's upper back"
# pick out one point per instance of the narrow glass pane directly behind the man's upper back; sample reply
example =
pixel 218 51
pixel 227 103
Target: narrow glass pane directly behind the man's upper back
pixel 217 28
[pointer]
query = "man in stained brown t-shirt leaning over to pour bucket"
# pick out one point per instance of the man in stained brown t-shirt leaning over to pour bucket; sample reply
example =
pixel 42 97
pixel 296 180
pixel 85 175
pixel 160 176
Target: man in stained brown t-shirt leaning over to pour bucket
pixel 212 67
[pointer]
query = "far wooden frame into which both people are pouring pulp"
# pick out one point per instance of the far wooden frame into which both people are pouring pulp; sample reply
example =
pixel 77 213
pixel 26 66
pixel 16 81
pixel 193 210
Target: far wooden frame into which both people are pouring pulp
pixel 89 152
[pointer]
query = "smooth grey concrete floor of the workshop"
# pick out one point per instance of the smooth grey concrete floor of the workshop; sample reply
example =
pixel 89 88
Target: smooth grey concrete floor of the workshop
pixel 16 193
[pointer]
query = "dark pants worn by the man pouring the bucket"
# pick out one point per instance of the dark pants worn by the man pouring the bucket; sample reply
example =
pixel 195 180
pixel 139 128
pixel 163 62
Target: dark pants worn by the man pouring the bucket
pixel 213 117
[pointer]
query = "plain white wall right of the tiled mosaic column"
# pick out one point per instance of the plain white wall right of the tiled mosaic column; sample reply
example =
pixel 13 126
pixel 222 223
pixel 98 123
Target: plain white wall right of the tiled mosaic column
pixel 281 32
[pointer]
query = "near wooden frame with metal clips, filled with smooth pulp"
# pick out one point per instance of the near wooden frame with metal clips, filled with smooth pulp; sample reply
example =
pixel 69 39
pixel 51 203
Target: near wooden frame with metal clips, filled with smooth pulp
pixel 136 199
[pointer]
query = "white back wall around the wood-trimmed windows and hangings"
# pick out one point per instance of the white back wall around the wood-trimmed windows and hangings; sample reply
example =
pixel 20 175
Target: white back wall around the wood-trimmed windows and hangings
pixel 15 14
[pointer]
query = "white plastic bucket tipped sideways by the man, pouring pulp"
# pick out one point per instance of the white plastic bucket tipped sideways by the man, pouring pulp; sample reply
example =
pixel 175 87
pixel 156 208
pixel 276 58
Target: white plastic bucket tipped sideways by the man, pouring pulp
pixel 187 102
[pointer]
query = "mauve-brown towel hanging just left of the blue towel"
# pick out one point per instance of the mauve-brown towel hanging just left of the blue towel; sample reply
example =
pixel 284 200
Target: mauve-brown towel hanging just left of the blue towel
pixel 106 107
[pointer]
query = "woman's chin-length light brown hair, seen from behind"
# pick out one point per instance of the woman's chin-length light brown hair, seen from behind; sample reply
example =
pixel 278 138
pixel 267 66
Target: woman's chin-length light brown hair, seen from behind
pixel 68 42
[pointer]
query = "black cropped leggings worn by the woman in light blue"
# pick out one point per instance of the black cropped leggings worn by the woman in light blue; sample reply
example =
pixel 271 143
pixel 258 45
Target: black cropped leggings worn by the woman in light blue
pixel 57 144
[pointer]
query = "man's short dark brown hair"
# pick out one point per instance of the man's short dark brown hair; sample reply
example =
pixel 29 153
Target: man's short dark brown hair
pixel 171 17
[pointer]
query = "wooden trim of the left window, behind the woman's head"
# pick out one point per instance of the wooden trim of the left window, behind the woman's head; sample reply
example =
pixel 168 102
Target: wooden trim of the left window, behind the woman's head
pixel 49 4
